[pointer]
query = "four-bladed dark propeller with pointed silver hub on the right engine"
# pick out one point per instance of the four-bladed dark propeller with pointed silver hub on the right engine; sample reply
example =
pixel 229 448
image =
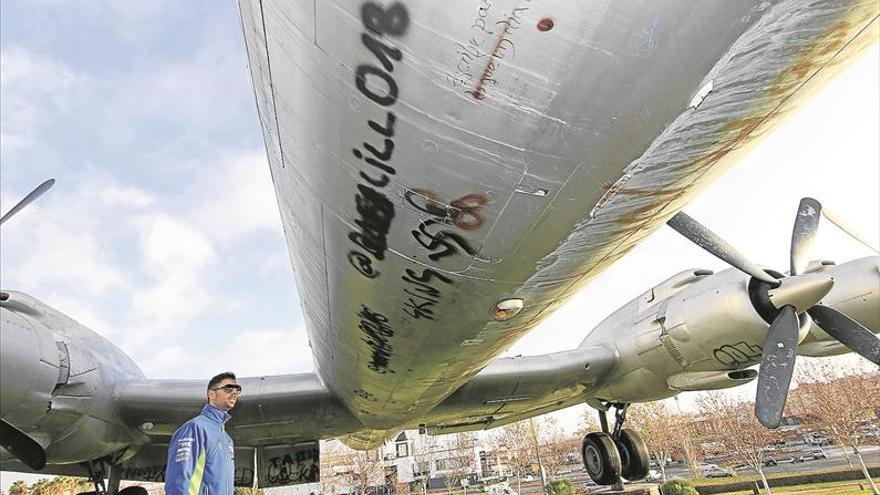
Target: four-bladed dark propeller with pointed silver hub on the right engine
pixel 781 299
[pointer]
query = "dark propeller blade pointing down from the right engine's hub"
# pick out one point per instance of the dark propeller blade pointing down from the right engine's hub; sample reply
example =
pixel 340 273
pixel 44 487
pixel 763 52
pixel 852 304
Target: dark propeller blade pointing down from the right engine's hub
pixel 777 366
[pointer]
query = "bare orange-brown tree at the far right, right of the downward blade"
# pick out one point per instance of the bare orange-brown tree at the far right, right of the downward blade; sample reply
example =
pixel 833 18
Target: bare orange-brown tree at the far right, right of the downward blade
pixel 839 400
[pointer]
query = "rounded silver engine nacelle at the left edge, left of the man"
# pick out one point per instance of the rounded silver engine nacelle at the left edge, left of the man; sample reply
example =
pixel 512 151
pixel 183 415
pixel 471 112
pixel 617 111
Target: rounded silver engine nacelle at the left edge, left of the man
pixel 57 382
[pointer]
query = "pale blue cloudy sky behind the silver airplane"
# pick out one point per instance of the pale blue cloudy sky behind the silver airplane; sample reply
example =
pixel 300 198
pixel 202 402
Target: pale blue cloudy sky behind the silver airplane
pixel 162 232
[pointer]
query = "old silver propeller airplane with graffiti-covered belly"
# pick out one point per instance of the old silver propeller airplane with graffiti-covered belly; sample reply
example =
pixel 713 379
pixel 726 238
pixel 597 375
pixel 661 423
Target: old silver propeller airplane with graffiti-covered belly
pixel 444 185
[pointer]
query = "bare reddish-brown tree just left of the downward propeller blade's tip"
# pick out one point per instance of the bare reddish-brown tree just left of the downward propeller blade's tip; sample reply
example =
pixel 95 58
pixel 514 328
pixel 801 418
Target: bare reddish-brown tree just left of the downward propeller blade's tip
pixel 733 425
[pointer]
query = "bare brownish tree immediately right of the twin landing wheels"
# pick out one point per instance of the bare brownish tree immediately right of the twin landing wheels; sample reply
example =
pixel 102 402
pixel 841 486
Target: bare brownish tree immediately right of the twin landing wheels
pixel 658 426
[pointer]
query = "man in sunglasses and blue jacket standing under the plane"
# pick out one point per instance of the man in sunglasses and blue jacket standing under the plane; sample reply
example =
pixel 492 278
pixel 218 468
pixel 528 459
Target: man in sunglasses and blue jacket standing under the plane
pixel 201 458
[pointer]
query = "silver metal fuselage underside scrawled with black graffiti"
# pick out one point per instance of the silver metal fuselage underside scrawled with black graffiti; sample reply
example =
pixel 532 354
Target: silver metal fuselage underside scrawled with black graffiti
pixel 433 159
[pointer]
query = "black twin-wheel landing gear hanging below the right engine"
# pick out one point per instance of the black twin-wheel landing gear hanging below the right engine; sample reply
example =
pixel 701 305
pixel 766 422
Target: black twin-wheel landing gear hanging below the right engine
pixel 620 452
